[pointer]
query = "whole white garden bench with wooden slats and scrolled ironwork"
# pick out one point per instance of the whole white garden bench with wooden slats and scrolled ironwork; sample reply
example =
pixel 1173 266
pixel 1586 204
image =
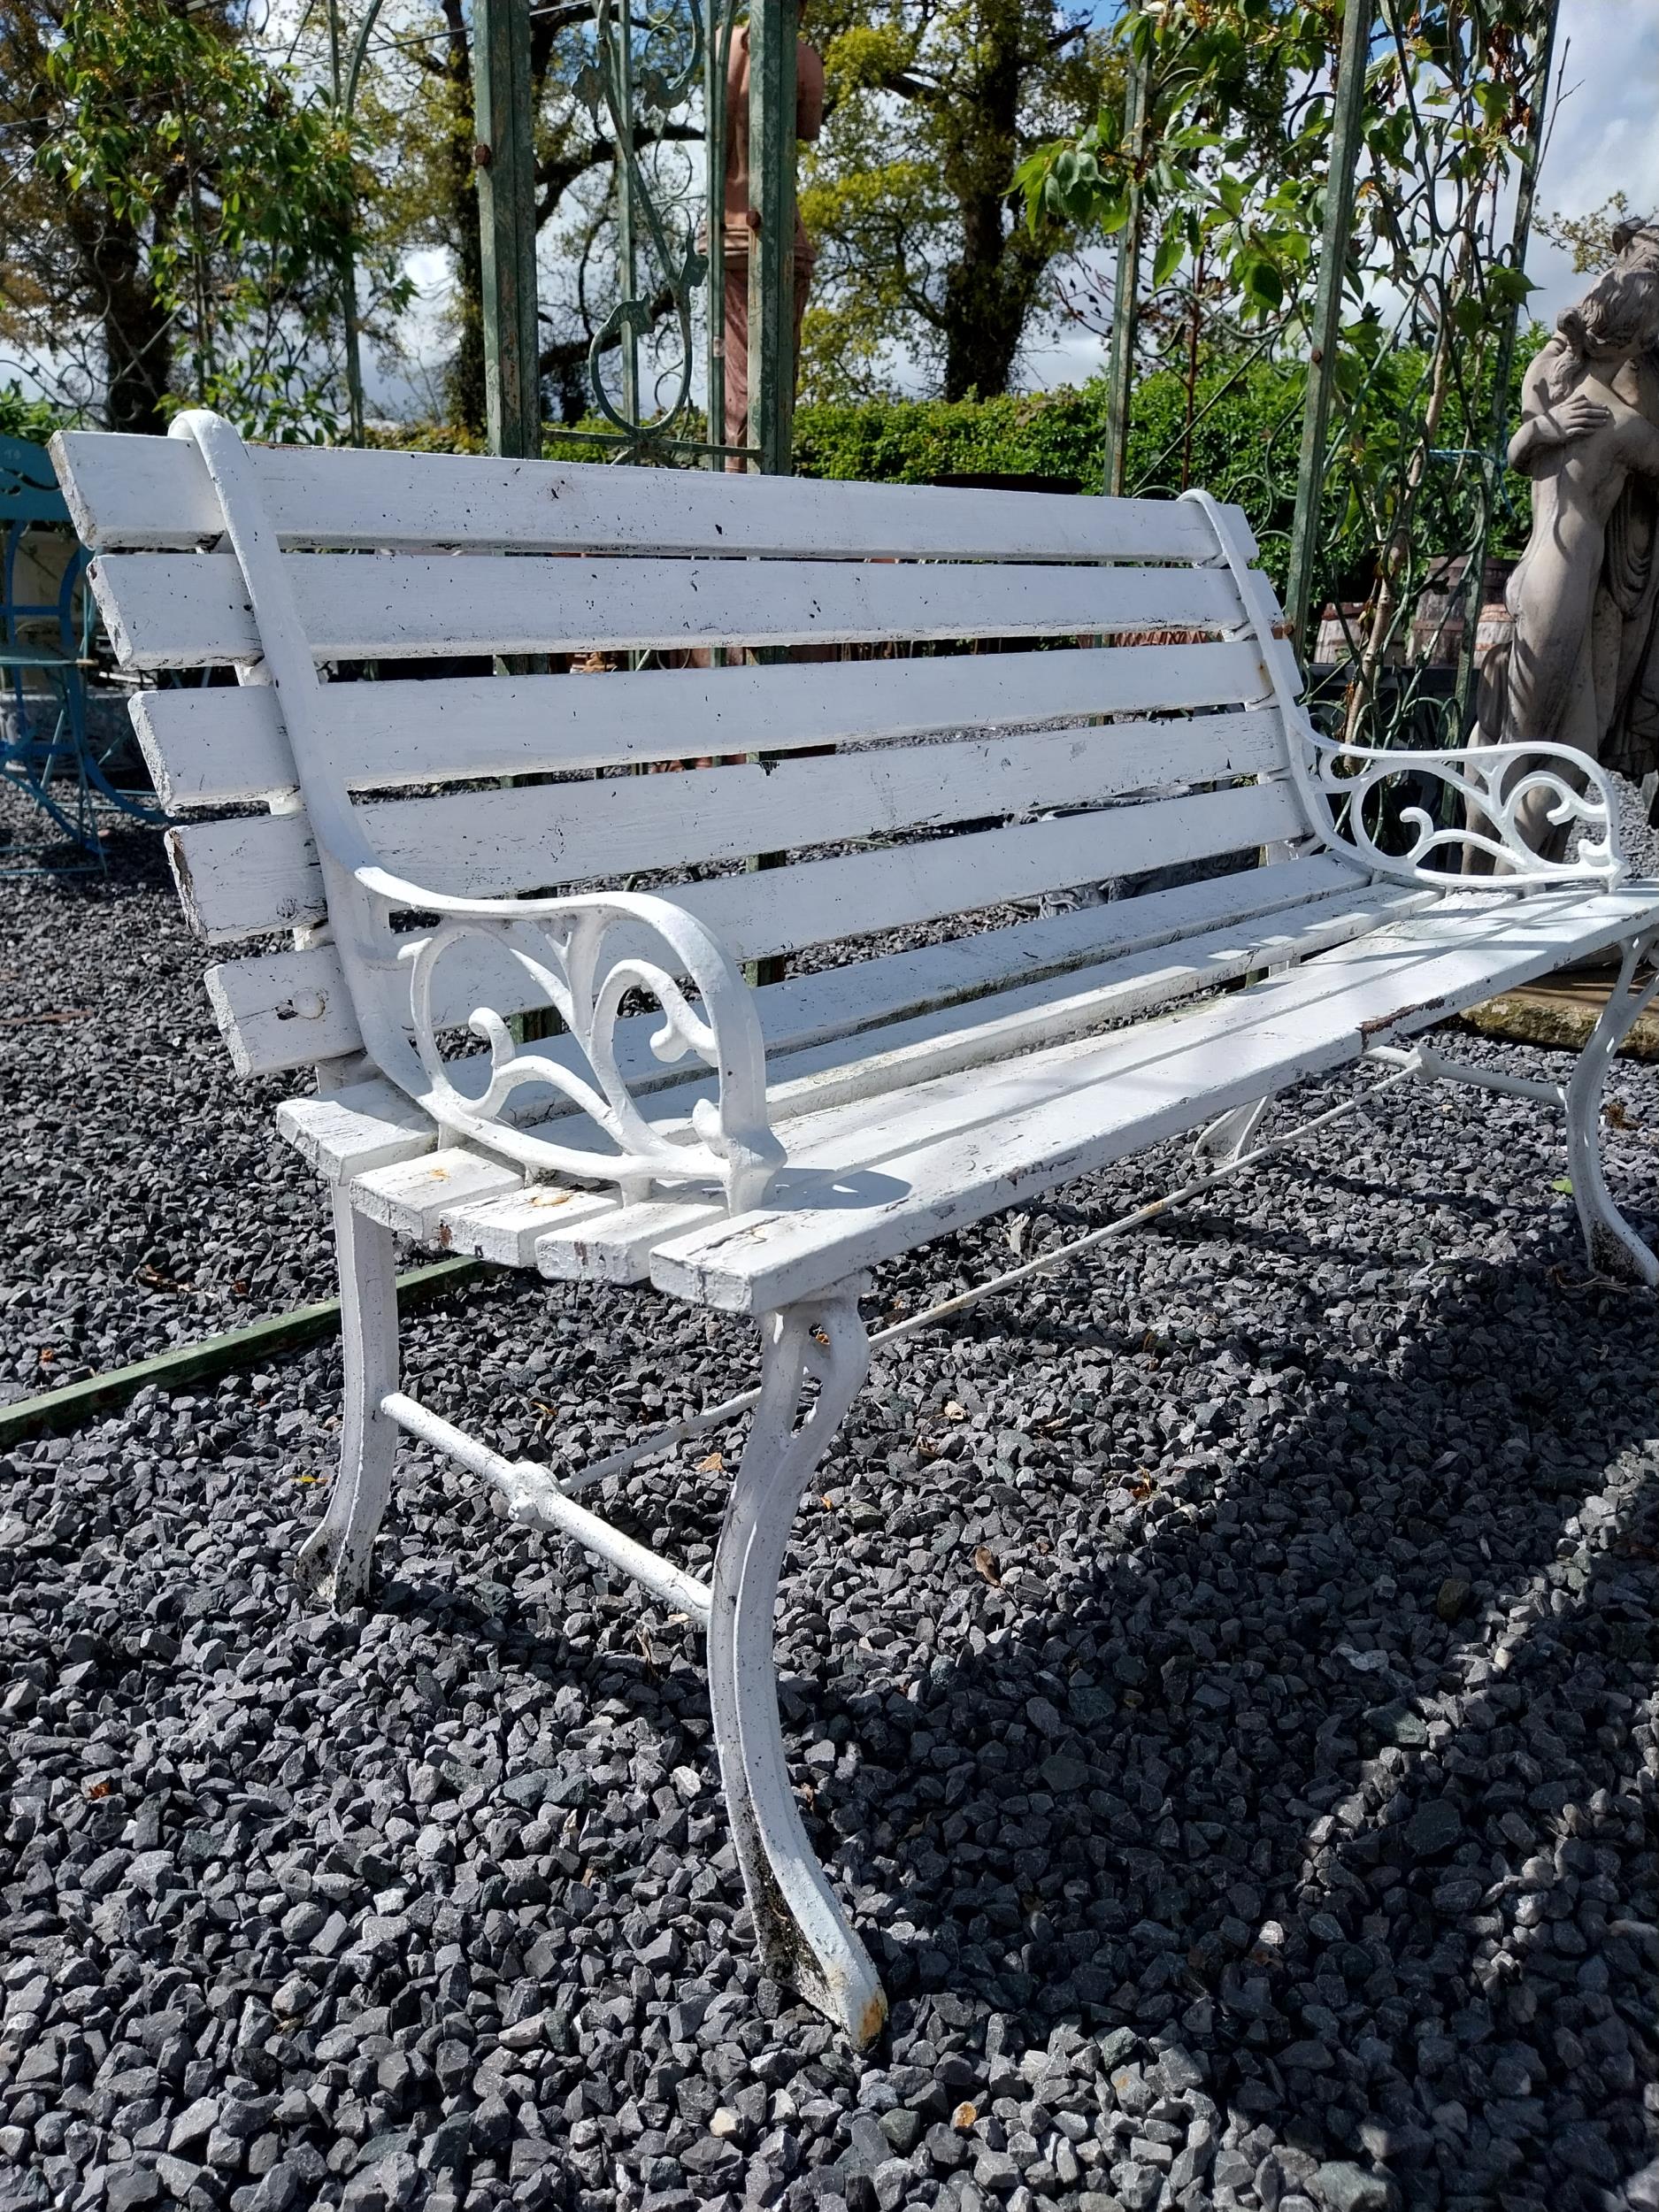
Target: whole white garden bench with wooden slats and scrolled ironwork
pixel 758 1151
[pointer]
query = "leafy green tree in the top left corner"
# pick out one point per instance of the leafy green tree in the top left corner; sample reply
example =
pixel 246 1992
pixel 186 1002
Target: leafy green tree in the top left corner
pixel 176 216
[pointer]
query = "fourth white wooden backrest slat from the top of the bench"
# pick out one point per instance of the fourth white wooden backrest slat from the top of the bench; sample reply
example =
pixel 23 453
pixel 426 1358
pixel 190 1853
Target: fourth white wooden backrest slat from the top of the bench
pixel 490 844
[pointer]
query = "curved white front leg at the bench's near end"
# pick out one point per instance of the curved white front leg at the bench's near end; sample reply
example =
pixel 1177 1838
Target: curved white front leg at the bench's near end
pixel 804 1934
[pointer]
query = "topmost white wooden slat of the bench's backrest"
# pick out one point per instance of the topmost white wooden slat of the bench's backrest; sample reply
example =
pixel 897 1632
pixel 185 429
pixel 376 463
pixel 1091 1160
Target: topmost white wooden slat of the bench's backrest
pixel 154 494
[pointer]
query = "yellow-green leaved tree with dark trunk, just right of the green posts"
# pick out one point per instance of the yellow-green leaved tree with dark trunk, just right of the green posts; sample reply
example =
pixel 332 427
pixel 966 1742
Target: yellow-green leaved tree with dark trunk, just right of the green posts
pixel 932 105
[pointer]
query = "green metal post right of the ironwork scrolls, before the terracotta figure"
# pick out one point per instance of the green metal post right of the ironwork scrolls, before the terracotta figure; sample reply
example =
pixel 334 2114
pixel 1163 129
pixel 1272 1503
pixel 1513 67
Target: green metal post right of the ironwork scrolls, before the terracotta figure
pixel 773 34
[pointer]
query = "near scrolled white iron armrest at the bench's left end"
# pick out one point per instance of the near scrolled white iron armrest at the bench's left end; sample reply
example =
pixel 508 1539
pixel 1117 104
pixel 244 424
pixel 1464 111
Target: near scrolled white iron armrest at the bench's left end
pixel 561 943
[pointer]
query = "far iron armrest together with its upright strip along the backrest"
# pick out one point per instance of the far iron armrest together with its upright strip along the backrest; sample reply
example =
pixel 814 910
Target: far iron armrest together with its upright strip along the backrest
pixel 1490 780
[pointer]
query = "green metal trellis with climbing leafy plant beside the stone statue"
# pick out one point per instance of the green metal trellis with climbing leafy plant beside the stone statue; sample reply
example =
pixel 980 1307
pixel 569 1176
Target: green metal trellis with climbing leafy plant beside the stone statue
pixel 1408 335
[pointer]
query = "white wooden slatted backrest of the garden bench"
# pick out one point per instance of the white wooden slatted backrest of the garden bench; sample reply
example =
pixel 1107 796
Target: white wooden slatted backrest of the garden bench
pixel 536 559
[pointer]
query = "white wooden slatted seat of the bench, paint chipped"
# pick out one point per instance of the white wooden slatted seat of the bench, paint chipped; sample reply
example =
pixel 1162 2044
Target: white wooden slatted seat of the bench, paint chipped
pixel 948 1147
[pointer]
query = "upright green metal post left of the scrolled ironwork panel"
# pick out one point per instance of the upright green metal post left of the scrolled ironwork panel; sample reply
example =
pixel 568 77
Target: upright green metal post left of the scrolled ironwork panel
pixel 505 156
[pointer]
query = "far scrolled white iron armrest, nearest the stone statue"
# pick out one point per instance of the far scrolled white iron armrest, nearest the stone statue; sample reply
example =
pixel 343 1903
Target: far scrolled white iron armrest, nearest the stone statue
pixel 1488 780
